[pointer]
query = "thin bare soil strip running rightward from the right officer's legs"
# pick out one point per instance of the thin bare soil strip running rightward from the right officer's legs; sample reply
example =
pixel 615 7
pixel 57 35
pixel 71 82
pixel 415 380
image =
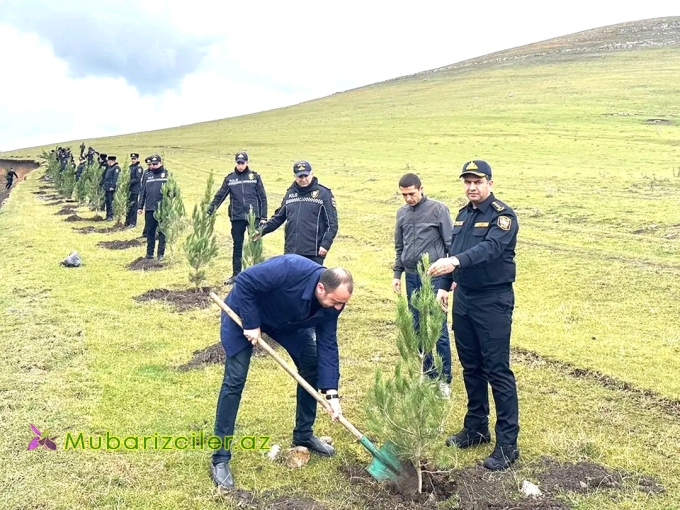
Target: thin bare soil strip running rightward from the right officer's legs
pixel 646 397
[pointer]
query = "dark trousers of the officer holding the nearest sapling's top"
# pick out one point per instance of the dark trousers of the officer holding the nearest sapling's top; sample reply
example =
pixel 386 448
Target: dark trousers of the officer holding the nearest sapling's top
pixel 482 321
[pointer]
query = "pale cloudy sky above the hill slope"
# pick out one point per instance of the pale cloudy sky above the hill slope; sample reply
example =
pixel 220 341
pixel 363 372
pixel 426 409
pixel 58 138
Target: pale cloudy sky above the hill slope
pixel 78 69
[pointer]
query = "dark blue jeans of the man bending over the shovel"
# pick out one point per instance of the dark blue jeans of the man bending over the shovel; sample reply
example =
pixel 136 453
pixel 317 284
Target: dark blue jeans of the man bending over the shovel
pixel 235 373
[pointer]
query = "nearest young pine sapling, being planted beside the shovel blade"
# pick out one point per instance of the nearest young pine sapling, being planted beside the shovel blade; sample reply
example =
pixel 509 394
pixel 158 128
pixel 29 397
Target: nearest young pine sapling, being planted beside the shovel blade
pixel 407 408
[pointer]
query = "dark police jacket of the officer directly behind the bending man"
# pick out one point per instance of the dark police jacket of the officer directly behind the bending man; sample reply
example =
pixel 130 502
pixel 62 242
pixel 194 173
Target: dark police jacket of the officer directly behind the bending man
pixel 310 216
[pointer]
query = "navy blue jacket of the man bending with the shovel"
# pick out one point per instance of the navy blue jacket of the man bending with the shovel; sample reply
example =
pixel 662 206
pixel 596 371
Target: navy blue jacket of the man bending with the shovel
pixel 277 295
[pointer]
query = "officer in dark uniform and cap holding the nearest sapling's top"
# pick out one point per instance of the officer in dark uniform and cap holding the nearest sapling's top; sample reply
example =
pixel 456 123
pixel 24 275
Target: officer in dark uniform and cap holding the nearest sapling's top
pixel 483 271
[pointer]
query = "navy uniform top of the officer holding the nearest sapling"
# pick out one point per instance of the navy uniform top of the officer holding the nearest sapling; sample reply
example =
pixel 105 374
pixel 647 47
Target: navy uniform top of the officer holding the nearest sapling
pixel 484 240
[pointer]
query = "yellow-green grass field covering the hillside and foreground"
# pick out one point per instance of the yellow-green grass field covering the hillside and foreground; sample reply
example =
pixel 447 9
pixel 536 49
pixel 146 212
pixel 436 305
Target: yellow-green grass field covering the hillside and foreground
pixel 597 193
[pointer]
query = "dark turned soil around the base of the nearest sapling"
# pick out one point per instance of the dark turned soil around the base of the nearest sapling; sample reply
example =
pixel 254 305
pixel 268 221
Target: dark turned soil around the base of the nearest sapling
pixel 474 487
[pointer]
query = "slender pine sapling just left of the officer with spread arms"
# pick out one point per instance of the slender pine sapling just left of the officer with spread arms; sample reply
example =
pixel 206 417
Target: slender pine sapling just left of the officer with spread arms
pixel 200 246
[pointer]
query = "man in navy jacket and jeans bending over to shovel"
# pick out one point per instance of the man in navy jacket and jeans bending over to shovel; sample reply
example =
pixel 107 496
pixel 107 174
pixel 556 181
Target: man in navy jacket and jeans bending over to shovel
pixel 292 299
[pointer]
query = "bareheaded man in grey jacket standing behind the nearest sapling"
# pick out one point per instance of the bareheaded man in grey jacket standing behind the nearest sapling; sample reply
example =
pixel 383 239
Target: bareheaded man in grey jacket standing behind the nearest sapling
pixel 423 226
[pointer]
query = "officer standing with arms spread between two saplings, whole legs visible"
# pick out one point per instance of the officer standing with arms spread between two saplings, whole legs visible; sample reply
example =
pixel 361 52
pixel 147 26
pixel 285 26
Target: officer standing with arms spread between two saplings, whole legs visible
pixel 245 189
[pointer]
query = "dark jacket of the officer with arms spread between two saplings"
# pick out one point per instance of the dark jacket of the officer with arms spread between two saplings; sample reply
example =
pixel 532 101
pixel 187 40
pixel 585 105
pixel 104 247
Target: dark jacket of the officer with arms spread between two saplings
pixel 246 189
